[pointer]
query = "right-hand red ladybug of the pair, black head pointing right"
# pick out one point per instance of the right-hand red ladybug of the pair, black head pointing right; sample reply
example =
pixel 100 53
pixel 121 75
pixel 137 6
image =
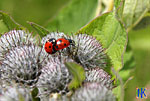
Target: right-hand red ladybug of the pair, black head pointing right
pixel 63 43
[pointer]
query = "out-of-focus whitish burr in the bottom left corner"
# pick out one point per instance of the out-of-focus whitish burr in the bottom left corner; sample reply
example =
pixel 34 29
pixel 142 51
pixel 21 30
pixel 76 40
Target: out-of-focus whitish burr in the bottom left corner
pixel 15 93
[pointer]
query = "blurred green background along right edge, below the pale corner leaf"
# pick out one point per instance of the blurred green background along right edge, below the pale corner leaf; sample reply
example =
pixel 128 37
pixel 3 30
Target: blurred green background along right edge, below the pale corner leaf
pixel 140 43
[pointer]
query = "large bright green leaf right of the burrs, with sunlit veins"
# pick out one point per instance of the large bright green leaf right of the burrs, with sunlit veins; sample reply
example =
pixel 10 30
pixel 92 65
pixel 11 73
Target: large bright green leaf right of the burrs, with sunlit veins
pixel 111 34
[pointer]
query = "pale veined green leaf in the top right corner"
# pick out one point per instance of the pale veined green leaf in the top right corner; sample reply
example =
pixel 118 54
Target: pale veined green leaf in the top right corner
pixel 134 11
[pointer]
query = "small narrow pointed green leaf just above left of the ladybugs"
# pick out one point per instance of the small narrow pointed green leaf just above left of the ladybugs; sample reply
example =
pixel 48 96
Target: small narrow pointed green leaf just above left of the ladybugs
pixel 41 30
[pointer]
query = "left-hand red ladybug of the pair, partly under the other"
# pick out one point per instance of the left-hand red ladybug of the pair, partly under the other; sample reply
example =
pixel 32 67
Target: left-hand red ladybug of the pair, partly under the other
pixel 49 46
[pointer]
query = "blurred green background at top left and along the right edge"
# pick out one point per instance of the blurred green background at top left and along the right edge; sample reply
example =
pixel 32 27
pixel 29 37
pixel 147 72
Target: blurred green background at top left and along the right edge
pixel 42 11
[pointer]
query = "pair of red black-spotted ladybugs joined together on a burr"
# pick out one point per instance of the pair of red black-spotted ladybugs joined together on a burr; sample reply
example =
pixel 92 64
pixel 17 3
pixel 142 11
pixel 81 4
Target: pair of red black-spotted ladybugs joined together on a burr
pixel 53 45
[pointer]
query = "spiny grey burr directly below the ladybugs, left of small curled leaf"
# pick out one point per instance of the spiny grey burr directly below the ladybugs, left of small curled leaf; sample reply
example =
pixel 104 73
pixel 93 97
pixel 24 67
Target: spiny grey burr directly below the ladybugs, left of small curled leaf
pixel 55 76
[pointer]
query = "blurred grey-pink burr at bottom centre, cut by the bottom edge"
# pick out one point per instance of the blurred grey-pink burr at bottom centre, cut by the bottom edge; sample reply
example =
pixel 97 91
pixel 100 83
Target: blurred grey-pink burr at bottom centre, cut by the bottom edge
pixel 93 92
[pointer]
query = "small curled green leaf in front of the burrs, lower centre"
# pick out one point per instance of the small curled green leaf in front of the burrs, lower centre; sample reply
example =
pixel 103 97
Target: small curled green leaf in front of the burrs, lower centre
pixel 78 74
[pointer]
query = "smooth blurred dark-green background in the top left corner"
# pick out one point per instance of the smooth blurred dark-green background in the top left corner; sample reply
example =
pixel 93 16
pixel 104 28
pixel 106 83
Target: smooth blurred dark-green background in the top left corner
pixel 39 11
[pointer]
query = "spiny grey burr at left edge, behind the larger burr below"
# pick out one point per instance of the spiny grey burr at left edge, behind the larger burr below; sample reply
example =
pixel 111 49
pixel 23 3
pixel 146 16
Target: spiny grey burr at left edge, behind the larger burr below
pixel 13 39
